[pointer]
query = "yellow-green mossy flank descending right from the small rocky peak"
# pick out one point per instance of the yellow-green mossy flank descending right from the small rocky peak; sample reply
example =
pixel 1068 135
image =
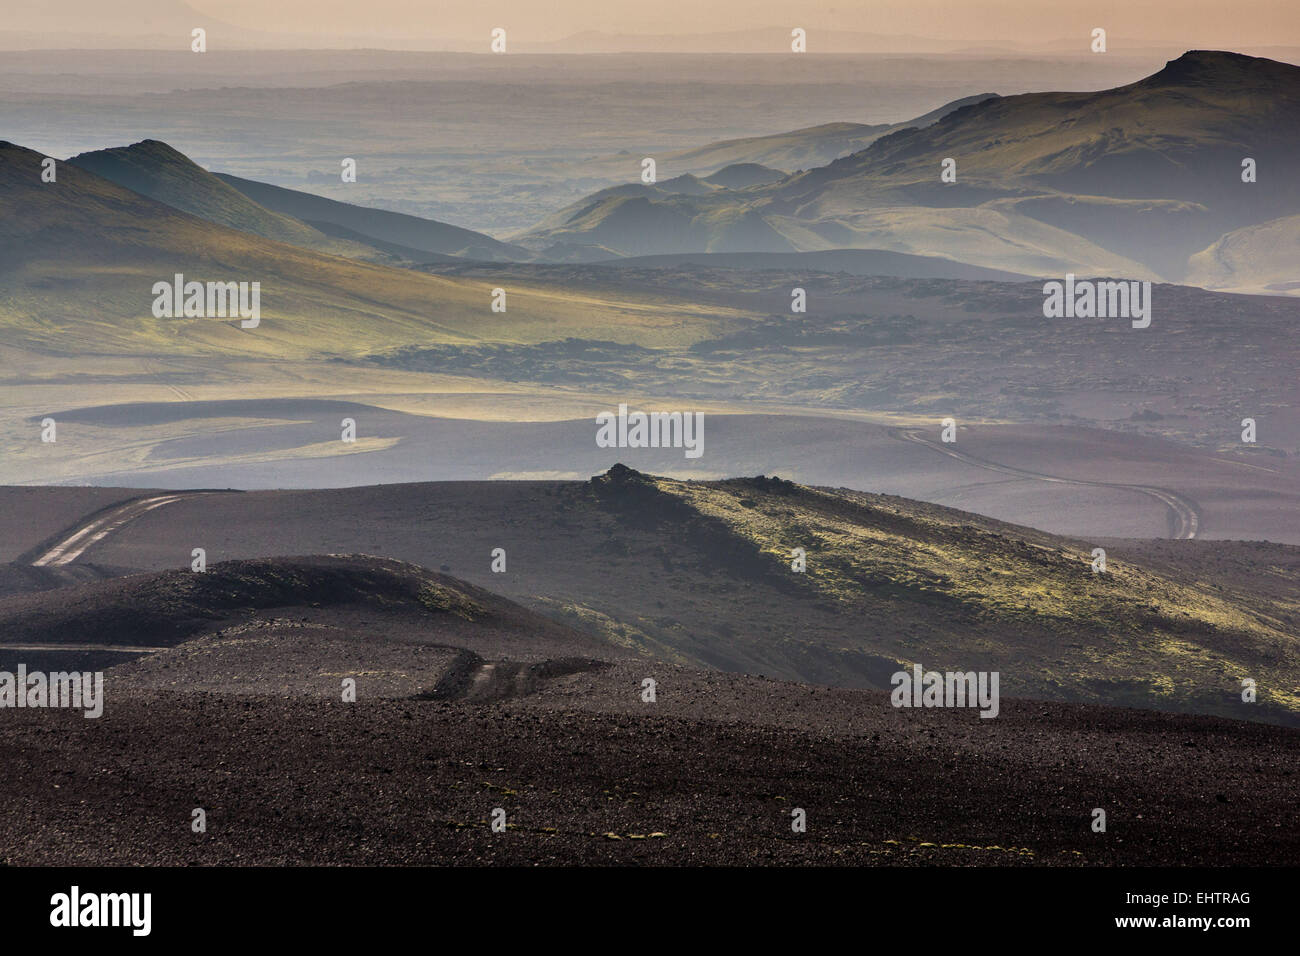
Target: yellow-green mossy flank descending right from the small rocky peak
pixel 913 583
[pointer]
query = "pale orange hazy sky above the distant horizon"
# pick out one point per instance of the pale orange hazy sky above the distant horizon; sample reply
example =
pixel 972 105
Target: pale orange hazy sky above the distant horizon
pixel 1217 24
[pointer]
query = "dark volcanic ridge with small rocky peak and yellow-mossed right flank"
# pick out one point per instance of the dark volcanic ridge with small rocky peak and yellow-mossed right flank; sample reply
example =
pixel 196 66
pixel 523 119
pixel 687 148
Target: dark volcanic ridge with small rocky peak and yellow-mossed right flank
pixel 699 573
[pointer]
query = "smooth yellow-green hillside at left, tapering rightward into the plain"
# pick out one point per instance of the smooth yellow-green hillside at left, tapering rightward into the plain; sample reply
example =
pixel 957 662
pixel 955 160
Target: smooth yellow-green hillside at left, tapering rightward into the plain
pixel 80 257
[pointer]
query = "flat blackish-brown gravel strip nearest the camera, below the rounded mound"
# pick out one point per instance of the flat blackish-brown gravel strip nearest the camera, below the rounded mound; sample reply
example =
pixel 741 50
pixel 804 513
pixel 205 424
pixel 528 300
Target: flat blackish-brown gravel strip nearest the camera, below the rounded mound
pixel 414 782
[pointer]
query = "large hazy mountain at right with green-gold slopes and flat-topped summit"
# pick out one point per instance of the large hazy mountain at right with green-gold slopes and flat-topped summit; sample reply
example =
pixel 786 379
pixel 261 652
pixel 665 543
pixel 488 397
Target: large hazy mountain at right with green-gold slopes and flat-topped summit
pixel 1143 181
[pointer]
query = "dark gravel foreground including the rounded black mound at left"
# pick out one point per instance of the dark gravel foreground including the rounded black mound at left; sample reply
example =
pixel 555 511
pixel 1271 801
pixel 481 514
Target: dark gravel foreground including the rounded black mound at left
pixel 469 703
